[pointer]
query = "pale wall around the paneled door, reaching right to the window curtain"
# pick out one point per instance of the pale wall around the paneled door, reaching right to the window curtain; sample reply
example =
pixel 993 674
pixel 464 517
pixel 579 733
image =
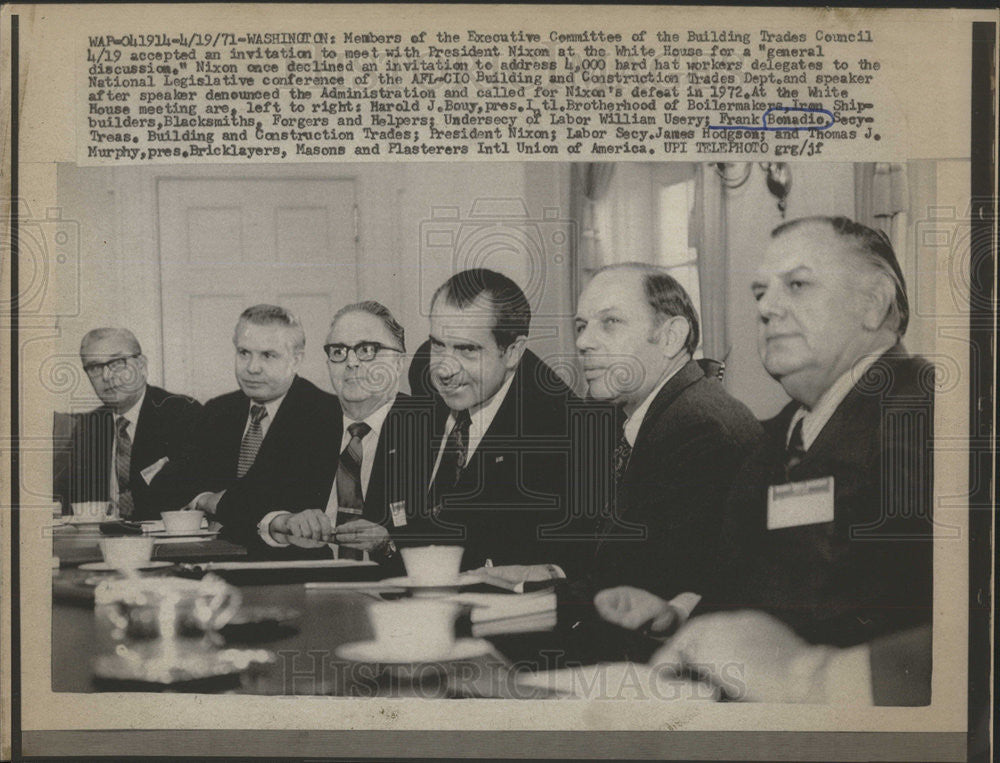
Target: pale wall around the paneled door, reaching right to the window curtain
pixel 119 278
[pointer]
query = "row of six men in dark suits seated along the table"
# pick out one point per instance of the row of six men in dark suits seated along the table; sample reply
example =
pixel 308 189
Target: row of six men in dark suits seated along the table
pixel 804 539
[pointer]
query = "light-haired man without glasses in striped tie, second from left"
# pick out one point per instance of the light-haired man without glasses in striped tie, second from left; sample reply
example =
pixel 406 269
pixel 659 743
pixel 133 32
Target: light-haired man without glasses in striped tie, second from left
pixel 271 445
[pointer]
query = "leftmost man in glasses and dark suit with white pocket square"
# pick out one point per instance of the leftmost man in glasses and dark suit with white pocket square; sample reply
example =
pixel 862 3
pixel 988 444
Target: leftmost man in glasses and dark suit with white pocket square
pixel 125 451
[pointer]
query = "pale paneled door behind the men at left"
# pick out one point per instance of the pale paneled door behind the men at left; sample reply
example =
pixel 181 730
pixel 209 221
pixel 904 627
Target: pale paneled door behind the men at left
pixel 228 244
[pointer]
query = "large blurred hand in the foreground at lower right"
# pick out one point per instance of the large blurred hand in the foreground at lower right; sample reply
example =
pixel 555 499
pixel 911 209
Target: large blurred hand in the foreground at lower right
pixel 751 656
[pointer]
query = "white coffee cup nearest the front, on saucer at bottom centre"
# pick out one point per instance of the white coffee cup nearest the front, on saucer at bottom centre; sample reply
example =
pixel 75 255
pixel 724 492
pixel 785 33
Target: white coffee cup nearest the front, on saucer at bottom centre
pixel 414 629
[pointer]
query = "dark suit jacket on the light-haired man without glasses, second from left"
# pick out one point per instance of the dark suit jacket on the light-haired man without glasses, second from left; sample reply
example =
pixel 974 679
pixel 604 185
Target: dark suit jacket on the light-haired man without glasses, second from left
pixel 294 468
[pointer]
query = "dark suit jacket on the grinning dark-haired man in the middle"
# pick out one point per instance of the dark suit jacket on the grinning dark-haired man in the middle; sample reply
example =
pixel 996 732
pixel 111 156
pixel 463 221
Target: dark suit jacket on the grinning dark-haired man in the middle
pixel 513 495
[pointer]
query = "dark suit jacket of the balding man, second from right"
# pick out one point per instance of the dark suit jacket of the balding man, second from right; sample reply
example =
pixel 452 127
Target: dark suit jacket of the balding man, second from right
pixel 665 528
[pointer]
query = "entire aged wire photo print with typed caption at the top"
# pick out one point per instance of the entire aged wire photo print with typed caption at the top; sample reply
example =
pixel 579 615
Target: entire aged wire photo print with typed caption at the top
pixel 663 444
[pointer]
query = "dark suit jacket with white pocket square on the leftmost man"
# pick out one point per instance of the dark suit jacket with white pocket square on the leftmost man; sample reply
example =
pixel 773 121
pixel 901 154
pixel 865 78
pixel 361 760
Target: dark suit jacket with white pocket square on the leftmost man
pixel 83 446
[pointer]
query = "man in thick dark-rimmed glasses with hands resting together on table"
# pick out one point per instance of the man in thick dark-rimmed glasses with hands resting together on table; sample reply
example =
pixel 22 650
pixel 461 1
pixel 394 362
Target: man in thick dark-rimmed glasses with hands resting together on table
pixel 376 474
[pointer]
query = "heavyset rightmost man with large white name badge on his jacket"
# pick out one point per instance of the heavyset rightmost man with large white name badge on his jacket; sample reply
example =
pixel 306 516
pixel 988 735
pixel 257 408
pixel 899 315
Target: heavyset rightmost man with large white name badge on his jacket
pixel 829 524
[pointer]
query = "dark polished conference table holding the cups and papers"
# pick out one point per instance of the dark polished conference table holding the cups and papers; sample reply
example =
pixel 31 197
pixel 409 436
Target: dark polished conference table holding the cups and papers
pixel 292 626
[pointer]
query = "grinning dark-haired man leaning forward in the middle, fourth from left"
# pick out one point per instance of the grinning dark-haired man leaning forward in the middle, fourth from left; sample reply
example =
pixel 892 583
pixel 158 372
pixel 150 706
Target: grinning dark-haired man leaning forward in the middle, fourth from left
pixel 502 441
